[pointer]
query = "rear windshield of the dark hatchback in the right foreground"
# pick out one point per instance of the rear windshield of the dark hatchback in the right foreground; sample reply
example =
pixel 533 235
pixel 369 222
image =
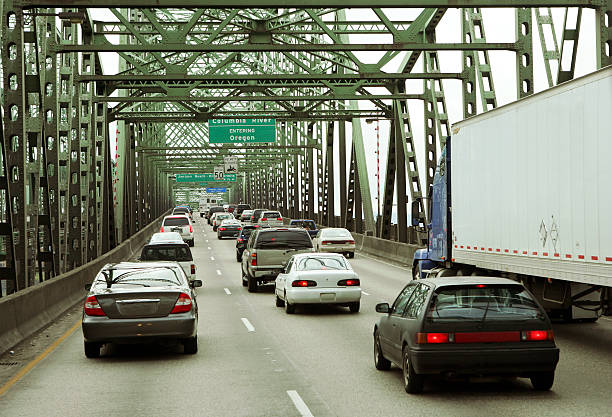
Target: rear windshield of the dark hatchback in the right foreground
pixel 482 302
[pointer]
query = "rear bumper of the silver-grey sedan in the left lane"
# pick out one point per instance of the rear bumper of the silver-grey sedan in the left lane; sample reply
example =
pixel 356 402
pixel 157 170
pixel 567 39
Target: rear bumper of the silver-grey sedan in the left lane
pixel 104 329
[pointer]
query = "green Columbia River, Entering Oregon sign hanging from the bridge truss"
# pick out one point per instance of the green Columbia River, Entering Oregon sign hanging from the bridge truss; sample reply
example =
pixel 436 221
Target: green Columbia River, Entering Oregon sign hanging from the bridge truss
pixel 241 130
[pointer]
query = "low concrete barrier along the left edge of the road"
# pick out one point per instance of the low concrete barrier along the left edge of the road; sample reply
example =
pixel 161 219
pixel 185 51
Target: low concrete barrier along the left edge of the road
pixel 27 311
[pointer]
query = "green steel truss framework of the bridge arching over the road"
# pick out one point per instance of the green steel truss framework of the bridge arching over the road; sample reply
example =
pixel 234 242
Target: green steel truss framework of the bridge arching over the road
pixel 64 201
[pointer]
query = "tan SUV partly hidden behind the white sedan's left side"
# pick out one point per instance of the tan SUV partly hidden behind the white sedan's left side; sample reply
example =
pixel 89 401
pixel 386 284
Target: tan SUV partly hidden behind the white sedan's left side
pixel 268 252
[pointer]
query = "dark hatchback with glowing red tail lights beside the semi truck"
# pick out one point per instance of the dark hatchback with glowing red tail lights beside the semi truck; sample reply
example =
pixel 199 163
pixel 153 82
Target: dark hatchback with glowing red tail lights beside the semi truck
pixel 466 326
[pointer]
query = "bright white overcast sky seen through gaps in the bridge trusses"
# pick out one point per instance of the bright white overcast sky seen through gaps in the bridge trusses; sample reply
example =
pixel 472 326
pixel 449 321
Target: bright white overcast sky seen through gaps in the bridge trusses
pixel 499 27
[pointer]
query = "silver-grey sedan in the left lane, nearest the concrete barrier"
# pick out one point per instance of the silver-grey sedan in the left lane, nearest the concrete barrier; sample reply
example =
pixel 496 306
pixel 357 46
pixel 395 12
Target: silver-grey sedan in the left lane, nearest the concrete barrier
pixel 139 302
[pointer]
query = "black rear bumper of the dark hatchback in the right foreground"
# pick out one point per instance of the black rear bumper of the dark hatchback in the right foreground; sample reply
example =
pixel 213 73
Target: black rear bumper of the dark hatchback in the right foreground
pixel 515 362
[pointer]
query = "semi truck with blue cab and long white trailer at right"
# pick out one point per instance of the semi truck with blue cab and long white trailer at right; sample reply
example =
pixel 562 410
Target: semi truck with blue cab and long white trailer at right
pixel 525 191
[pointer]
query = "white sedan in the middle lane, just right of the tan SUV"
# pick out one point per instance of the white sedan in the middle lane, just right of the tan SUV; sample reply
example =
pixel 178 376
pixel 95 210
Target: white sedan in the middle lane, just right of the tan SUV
pixel 318 278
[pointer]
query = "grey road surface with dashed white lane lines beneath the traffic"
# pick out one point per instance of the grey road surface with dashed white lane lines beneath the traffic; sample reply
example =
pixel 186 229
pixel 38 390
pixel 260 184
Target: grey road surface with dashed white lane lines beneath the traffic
pixel 255 360
